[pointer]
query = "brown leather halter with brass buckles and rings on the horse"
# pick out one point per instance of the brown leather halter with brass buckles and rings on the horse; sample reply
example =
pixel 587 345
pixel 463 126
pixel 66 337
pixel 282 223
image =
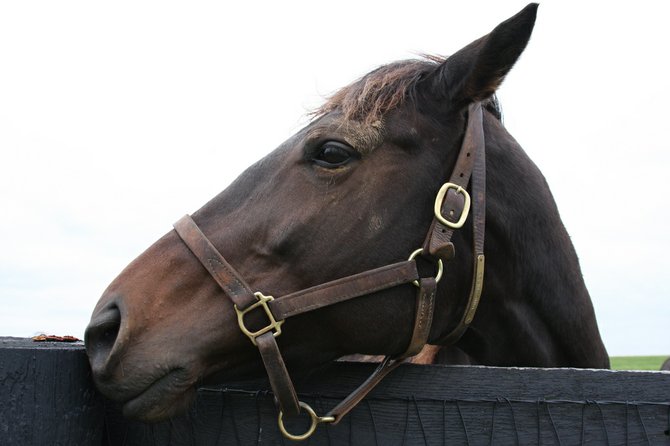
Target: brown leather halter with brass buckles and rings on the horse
pixel 452 207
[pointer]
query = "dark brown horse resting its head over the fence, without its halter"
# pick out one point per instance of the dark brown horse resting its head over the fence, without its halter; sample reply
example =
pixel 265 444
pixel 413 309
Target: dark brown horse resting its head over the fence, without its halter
pixel 353 191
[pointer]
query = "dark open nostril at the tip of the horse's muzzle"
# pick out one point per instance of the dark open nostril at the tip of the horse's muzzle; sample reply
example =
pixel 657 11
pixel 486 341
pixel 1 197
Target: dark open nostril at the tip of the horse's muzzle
pixel 101 336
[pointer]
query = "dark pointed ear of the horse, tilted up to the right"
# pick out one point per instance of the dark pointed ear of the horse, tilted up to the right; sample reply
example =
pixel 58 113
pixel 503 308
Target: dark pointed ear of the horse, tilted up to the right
pixel 475 72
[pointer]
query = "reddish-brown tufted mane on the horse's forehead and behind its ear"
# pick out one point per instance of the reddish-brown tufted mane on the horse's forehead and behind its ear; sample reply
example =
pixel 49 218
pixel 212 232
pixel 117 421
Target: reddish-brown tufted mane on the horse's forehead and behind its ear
pixel 369 98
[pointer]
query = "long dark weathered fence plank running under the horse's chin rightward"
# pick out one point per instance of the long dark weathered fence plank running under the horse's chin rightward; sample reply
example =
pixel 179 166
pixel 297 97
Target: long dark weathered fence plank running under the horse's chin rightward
pixel 431 405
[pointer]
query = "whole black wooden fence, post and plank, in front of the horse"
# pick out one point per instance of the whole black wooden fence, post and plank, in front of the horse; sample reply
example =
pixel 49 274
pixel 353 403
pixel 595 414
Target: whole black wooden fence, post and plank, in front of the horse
pixel 47 398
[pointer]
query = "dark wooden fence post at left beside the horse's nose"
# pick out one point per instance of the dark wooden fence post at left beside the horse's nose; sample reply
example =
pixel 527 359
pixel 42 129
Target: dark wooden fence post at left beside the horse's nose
pixel 46 395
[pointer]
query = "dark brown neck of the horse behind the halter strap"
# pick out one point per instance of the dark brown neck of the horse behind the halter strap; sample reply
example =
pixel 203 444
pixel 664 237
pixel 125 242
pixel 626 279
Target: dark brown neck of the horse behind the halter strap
pixel 535 309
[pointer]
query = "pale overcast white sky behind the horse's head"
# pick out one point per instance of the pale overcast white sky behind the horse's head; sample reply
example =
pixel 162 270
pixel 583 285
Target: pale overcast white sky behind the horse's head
pixel 118 118
